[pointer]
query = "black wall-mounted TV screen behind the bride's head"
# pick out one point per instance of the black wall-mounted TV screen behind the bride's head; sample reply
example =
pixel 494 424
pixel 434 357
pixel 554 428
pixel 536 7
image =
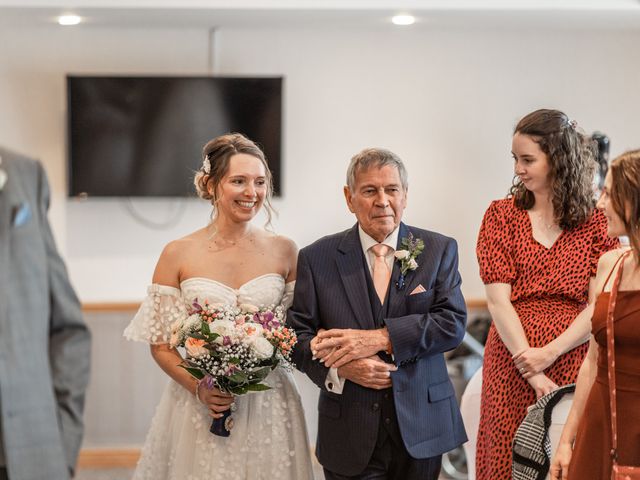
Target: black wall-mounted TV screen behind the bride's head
pixel 143 136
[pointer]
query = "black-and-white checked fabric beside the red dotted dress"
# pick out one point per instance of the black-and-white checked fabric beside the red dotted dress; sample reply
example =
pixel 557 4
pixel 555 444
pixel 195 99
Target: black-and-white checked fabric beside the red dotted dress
pixel 531 445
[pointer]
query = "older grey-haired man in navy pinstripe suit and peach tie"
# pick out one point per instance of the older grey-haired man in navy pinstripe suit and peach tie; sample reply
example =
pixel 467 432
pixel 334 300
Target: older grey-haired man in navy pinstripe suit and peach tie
pixel 375 307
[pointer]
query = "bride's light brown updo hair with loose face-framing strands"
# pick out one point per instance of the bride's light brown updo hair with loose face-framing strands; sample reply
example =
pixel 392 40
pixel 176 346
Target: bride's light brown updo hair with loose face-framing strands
pixel 216 156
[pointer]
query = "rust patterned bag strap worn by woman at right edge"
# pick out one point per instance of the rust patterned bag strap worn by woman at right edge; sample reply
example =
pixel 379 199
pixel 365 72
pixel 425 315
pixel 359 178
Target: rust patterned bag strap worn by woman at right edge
pixel 619 472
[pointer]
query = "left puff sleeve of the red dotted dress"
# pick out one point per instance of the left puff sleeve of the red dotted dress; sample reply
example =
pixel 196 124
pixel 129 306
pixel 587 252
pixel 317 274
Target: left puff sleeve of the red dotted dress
pixel 494 247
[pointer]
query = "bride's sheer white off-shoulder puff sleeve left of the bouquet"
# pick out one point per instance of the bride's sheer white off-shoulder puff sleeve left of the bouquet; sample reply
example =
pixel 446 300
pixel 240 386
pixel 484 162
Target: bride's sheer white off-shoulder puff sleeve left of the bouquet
pixel 159 310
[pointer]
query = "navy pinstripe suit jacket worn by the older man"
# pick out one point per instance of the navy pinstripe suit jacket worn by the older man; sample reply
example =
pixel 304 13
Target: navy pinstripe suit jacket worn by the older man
pixel 331 292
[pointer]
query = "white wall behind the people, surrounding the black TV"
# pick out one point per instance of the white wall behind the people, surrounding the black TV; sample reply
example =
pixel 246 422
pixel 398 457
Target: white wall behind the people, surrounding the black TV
pixel 446 101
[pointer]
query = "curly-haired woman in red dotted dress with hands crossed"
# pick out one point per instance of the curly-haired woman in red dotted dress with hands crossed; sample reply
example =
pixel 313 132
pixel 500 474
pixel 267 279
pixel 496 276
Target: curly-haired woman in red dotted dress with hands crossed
pixel 538 252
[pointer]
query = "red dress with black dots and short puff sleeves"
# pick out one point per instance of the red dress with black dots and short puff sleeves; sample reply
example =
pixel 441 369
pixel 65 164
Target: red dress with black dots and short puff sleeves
pixel 549 287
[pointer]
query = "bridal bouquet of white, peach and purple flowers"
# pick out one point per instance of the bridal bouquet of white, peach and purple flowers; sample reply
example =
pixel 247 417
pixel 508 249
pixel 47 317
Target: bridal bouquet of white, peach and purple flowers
pixel 233 348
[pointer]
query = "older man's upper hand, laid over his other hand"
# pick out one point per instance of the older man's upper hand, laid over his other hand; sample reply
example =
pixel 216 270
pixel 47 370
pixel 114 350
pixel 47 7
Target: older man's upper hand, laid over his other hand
pixel 337 347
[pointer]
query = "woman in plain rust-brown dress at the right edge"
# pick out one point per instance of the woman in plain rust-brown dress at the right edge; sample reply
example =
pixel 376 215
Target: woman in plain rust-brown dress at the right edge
pixel 589 422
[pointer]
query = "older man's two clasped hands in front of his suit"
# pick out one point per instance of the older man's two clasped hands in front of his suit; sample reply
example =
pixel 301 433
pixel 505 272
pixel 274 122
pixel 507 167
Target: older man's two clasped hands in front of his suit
pixel 354 353
